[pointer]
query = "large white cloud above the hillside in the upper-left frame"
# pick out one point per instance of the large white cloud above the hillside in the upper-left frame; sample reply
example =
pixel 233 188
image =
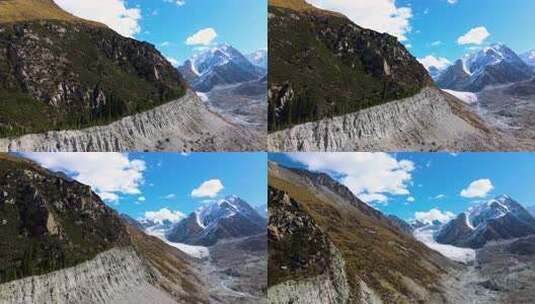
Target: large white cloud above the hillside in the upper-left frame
pixel 113 13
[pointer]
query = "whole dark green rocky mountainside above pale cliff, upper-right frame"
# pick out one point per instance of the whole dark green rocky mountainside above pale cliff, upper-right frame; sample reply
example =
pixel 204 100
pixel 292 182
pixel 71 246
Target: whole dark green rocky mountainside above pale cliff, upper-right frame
pixel 322 65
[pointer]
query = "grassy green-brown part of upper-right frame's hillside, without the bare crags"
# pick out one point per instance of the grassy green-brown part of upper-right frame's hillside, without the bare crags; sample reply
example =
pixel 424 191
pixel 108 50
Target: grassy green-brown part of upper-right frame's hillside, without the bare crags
pixel 325 83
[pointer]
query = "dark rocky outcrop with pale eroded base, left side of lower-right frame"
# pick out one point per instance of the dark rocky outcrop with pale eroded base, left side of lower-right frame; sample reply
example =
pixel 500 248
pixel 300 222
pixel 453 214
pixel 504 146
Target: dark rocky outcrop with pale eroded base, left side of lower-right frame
pixel 313 274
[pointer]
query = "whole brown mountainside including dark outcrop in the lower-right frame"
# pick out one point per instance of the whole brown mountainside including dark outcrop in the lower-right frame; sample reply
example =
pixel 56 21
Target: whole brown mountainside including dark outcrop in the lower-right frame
pixel 353 254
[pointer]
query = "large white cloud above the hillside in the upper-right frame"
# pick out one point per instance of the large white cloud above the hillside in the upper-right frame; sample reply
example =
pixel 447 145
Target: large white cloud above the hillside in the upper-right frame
pixel 379 15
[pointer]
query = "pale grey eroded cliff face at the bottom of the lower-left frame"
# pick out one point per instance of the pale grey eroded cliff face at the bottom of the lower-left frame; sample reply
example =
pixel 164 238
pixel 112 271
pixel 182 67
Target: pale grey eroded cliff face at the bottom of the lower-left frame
pixel 114 276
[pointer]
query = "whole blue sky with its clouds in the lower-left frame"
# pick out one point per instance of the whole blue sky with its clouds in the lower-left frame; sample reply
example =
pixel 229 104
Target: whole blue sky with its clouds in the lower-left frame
pixel 137 183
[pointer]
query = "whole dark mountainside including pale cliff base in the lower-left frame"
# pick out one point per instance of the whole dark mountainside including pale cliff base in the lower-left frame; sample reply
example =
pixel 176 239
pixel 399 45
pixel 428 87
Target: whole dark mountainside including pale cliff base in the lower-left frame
pixel 59 243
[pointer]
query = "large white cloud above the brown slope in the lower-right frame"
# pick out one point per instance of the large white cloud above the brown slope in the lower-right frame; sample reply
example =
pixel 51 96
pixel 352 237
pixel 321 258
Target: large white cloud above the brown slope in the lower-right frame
pixel 370 176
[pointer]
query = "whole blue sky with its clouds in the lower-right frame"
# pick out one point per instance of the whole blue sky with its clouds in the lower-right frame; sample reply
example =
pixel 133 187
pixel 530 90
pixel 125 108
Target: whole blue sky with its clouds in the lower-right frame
pixel 434 180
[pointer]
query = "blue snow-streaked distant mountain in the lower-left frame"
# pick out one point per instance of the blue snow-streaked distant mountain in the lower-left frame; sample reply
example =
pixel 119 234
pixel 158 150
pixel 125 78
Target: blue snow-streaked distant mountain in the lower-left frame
pixel 227 218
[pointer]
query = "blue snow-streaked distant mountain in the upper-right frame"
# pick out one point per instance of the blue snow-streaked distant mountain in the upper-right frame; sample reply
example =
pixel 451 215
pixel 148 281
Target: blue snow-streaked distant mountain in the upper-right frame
pixel 493 65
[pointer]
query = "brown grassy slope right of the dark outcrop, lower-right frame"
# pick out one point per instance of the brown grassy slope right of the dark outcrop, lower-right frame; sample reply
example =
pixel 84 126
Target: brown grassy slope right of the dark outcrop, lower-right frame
pixel 371 249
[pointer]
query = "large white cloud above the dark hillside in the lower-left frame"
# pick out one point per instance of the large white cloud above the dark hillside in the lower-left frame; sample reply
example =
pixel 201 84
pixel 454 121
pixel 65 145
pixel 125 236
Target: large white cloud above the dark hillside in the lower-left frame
pixel 108 174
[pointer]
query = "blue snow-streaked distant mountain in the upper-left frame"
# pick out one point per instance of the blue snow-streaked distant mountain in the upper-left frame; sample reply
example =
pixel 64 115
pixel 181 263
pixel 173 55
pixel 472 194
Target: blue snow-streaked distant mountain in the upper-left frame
pixel 222 65
